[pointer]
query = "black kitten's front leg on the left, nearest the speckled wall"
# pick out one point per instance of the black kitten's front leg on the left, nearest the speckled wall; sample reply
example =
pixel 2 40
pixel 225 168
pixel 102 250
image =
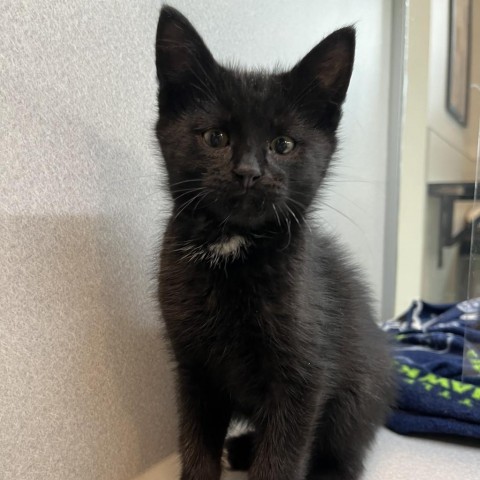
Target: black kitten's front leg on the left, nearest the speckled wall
pixel 204 419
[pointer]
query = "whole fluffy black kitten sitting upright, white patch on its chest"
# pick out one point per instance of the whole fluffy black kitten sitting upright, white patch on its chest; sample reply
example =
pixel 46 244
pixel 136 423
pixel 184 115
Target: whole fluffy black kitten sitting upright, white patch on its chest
pixel 267 320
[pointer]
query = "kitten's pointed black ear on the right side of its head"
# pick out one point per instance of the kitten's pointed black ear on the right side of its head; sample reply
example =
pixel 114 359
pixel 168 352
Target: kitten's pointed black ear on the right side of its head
pixel 329 64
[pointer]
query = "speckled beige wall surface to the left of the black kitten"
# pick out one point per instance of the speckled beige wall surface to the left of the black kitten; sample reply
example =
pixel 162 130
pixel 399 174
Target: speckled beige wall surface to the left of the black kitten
pixel 85 386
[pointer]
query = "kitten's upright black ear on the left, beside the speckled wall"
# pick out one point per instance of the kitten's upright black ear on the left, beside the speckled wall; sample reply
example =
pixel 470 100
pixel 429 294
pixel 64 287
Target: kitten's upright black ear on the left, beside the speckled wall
pixel 180 51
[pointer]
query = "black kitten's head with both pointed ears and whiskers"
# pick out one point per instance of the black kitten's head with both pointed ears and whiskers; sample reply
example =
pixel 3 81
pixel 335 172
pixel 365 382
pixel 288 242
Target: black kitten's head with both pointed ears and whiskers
pixel 244 148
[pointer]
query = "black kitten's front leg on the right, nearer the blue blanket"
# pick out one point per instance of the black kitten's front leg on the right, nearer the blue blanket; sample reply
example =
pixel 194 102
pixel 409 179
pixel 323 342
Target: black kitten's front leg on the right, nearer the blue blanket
pixel 284 437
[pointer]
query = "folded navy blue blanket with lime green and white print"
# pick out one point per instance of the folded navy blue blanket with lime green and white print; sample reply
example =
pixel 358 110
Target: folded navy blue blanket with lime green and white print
pixel 437 355
